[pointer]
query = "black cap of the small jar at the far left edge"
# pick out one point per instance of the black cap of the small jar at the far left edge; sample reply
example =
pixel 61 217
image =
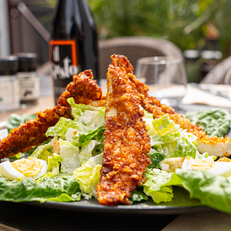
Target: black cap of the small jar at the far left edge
pixel 8 65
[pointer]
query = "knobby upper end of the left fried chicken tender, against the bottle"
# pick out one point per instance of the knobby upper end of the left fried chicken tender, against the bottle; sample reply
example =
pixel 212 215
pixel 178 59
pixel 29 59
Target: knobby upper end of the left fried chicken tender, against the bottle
pixel 83 89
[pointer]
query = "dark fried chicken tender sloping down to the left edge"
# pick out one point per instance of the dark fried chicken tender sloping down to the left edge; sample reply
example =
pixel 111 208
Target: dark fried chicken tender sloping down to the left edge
pixel 83 89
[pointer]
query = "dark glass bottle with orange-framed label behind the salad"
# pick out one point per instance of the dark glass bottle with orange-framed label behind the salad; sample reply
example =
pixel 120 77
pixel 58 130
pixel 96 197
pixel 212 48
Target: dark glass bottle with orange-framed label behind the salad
pixel 73 46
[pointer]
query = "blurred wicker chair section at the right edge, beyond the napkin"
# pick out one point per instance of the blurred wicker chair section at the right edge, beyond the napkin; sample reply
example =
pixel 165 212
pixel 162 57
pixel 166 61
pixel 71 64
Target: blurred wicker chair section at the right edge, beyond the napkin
pixel 217 74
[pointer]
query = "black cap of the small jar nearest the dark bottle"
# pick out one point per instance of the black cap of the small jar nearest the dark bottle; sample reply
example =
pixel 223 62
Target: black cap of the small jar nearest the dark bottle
pixel 27 62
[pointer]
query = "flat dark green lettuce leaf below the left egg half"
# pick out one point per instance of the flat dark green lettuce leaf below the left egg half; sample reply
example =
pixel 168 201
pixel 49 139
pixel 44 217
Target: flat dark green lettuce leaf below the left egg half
pixel 31 190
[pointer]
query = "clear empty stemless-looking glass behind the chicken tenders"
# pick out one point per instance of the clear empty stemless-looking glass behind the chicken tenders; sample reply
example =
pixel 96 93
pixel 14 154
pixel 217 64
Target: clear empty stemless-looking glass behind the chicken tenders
pixel 165 76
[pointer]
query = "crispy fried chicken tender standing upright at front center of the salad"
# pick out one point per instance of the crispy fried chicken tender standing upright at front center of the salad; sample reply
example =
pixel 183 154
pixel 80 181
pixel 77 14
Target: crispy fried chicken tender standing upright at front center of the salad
pixel 126 142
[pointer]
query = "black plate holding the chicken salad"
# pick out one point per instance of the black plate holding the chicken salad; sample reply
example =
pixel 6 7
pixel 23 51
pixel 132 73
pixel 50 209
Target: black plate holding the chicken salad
pixel 181 202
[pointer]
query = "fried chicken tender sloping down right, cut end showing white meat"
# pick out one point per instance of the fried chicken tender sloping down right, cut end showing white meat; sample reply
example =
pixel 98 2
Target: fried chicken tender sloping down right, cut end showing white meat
pixel 217 146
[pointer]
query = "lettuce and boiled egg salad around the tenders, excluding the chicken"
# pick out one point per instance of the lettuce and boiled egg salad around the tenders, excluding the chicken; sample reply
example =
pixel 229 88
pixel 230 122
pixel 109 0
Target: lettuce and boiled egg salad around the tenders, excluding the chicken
pixel 67 167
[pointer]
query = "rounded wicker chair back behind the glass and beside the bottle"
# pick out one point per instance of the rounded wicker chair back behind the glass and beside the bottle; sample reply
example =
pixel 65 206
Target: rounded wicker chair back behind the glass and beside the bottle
pixel 134 48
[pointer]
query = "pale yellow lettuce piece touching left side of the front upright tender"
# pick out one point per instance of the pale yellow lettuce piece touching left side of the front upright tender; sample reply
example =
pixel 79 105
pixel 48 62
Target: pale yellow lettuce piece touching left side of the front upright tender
pixel 88 174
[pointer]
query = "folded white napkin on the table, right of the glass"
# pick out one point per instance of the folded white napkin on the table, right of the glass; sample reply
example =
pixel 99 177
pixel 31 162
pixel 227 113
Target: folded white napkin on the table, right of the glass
pixel 197 96
